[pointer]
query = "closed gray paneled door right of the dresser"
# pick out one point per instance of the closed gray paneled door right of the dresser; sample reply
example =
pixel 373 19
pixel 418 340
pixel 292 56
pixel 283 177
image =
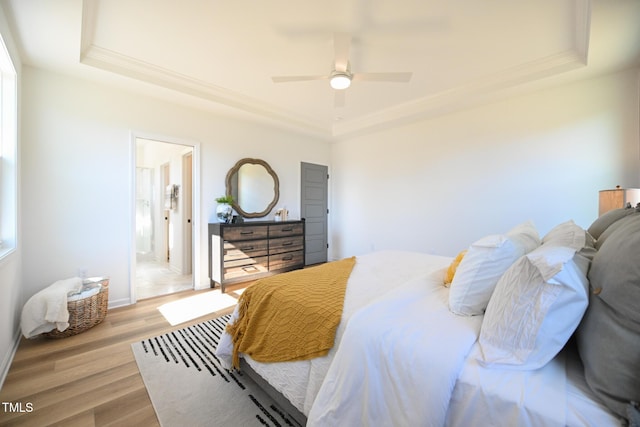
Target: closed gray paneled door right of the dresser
pixel 314 210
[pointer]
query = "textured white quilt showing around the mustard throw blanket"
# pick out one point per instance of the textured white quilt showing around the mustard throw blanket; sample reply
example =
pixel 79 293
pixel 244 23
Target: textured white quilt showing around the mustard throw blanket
pixel 373 276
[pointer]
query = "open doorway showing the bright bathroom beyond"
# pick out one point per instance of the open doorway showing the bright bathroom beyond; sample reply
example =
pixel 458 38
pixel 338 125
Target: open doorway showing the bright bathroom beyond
pixel 163 218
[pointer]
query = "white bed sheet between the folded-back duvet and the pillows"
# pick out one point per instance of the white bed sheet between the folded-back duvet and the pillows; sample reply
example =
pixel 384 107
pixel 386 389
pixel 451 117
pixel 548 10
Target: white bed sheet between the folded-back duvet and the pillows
pixel 554 395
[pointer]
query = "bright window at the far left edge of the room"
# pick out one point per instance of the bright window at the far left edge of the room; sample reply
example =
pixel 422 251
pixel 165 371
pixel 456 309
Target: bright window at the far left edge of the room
pixel 8 152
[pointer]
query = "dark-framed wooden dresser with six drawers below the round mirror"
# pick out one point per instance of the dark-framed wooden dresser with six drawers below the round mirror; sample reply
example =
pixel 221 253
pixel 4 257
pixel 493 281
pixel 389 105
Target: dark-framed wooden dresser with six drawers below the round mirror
pixel 251 250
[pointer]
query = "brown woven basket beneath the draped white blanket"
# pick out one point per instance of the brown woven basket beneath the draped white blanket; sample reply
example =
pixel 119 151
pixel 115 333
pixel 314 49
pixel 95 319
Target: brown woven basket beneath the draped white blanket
pixel 85 313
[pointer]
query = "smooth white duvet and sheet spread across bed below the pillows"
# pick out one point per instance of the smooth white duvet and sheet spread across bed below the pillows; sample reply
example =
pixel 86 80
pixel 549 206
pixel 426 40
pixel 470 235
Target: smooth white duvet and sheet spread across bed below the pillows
pixel 428 374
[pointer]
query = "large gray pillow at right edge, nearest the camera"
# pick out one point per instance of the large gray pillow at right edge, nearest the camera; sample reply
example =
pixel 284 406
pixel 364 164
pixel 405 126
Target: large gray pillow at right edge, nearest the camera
pixel 609 334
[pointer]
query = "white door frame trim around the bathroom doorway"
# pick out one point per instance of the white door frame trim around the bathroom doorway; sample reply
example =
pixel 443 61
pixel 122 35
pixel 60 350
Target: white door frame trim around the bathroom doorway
pixel 195 218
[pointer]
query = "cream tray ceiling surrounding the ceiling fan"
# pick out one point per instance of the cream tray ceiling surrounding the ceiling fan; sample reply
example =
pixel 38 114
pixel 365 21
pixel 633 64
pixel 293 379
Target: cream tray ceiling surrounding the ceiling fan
pixel 223 54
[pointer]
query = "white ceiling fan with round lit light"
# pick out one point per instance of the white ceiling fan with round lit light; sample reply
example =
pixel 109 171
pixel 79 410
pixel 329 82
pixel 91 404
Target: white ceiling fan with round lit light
pixel 341 76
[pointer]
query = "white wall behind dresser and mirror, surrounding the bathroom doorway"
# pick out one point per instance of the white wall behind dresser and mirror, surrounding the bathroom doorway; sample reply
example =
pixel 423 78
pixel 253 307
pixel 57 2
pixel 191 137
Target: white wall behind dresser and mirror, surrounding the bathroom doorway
pixel 77 169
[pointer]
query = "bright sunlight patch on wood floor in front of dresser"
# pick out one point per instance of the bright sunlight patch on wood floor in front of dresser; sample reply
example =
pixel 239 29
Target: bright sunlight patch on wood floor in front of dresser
pixel 190 308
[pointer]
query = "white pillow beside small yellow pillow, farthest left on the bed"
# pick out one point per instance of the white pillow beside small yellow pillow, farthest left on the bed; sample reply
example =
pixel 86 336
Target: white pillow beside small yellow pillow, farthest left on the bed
pixel 485 262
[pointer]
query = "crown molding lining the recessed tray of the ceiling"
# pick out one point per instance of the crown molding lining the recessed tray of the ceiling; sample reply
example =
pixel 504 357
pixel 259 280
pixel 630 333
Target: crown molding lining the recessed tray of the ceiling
pixel 487 89
